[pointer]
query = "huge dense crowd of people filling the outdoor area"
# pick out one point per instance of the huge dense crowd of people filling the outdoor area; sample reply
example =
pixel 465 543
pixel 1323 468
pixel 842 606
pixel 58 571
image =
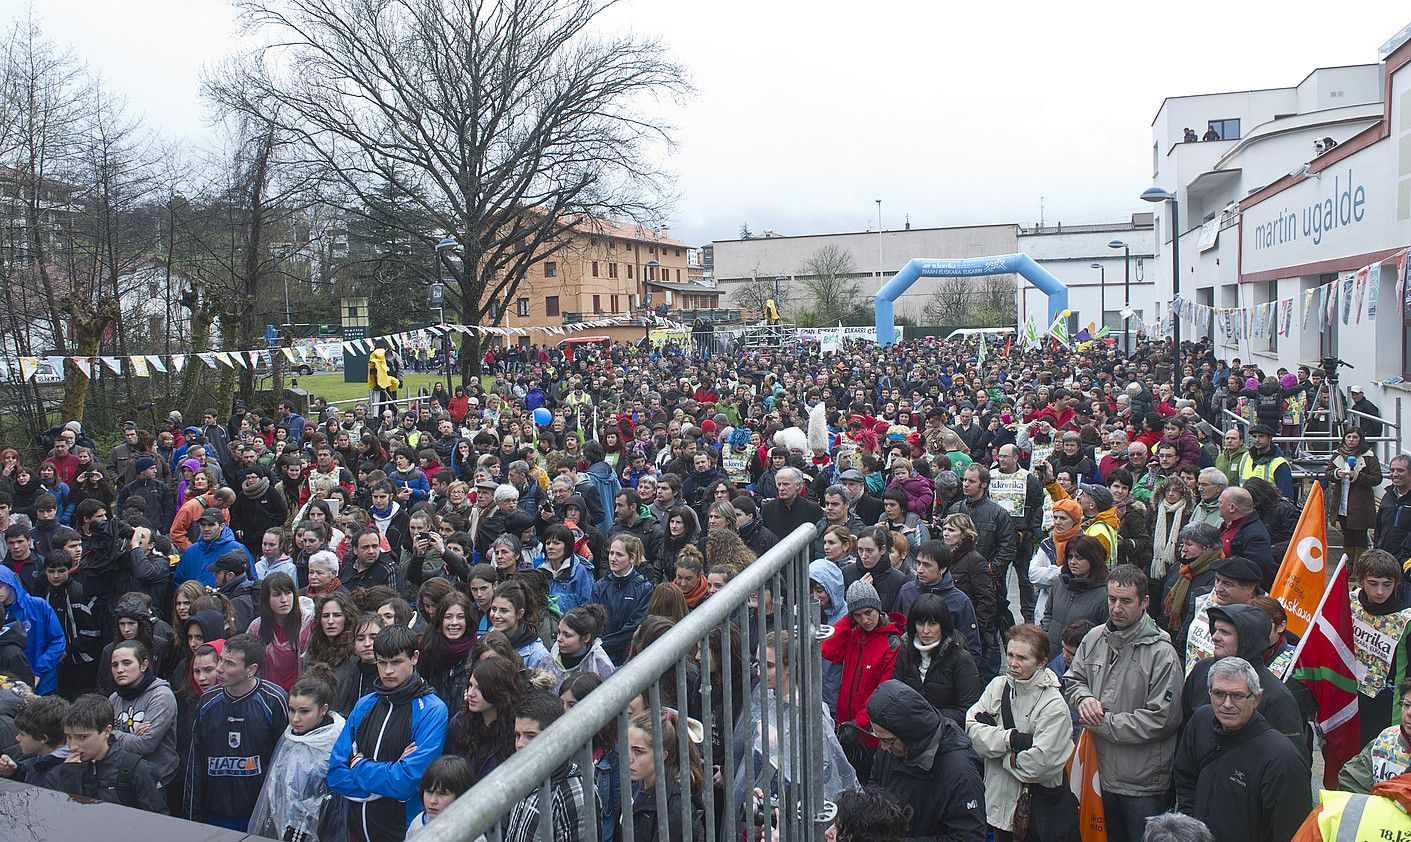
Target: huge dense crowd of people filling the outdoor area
pixel 318 624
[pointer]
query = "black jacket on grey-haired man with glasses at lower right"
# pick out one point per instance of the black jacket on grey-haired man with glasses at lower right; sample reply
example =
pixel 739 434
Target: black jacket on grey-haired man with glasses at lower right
pixel 1249 785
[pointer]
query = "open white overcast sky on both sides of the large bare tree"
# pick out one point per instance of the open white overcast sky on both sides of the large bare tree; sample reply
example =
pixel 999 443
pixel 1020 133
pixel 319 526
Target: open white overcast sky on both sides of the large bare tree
pixel 806 114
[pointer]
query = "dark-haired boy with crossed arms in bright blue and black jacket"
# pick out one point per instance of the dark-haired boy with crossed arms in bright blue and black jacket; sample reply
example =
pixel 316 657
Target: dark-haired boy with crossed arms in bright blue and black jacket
pixel 372 767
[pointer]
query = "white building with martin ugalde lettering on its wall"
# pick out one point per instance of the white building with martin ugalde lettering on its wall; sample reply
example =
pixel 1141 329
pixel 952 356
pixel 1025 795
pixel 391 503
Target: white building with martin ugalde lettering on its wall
pixel 1268 216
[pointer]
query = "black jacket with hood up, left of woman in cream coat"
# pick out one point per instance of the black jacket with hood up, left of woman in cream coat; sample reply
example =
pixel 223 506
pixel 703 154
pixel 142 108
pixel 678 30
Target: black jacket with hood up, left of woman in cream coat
pixel 940 779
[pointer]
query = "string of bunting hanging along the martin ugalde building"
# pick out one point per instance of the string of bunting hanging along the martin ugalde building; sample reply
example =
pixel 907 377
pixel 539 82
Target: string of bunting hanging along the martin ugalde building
pixel 1352 295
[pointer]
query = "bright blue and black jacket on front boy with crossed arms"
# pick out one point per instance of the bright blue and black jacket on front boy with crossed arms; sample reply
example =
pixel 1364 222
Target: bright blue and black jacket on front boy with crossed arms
pixel 397 779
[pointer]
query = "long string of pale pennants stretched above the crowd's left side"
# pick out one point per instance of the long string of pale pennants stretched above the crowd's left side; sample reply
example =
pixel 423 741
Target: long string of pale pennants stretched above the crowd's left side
pixel 149 365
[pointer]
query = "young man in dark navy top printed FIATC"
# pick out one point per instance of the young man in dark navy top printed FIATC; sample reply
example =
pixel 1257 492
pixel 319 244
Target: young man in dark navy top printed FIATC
pixel 238 727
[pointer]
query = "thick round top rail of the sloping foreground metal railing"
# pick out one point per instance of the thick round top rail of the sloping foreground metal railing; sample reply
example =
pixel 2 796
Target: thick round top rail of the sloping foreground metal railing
pixel 493 798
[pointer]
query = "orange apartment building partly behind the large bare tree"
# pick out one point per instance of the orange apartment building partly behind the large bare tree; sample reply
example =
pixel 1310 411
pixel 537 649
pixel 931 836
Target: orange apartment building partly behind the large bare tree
pixel 609 270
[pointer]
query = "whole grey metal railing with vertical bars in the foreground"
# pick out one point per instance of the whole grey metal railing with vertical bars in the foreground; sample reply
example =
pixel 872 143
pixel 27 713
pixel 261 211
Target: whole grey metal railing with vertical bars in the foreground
pixel 767 747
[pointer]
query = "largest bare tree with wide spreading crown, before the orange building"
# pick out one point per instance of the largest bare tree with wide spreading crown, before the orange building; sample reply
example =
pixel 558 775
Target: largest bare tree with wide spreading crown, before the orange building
pixel 506 123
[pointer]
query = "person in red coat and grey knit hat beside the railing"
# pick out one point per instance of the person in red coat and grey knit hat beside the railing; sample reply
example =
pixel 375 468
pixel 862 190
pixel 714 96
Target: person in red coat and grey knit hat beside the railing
pixel 866 642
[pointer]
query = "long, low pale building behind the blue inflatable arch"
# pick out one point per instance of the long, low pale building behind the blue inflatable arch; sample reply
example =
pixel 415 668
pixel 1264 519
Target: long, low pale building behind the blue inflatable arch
pixel 1067 252
